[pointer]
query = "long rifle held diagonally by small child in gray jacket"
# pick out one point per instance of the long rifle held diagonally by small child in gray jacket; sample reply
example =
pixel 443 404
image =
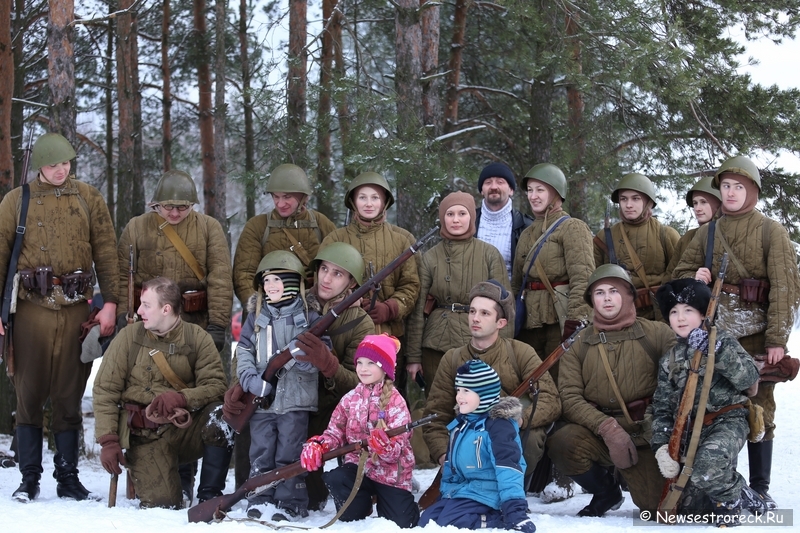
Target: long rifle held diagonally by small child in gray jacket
pixel 320 326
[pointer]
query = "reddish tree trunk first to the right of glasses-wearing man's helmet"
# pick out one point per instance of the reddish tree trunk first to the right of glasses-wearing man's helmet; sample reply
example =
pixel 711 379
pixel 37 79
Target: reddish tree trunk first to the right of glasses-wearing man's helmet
pixel 206 111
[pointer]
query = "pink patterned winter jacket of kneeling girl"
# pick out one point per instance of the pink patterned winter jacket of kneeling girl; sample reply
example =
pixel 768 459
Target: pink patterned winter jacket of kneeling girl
pixel 356 415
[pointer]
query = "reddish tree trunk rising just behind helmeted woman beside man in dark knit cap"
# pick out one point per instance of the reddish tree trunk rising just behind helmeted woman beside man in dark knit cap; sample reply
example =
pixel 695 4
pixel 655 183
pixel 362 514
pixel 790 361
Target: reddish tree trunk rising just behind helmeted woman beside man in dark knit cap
pixel 578 186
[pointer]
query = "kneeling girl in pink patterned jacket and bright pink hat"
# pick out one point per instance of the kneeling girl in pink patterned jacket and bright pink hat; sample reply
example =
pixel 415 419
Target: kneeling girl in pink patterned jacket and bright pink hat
pixel 365 413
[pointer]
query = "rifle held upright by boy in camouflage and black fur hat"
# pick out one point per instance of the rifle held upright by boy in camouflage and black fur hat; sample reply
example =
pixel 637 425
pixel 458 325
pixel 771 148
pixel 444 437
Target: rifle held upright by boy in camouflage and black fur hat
pixel 670 495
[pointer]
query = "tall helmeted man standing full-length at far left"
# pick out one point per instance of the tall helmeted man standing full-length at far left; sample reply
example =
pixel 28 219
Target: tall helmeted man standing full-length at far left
pixel 69 235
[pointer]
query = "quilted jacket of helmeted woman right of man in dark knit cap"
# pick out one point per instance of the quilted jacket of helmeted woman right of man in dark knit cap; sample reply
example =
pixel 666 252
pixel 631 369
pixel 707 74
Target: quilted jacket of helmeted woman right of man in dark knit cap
pixel 565 256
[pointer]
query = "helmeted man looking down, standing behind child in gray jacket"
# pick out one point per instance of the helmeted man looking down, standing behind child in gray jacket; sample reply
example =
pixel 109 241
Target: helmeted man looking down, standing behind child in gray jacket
pixel 291 226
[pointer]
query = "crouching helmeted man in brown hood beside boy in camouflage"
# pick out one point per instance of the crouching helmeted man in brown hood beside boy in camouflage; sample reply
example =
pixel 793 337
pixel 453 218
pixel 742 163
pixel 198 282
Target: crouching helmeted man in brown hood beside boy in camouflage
pixel 595 432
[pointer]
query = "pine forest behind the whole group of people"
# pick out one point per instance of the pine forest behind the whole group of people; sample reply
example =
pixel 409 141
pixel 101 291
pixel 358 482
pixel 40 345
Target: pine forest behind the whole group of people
pixel 425 92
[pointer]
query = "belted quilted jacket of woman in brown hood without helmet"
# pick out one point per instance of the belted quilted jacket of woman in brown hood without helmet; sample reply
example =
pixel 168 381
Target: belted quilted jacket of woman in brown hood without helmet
pixel 449 271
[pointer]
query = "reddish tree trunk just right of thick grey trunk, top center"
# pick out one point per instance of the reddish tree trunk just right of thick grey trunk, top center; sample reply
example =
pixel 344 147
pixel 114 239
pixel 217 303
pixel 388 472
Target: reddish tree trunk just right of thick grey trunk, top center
pixel 431 102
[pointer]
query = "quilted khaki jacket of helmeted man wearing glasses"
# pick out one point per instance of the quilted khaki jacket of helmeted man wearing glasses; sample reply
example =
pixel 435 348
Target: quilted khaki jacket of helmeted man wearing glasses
pixel 154 255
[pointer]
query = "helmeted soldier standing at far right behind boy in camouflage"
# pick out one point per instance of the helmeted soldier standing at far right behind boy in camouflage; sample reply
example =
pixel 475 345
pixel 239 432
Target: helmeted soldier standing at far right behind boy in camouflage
pixel 761 293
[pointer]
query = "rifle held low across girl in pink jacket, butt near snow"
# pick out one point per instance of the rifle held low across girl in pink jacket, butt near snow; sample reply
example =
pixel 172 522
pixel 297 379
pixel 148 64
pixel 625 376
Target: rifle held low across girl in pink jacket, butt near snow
pixel 216 507
